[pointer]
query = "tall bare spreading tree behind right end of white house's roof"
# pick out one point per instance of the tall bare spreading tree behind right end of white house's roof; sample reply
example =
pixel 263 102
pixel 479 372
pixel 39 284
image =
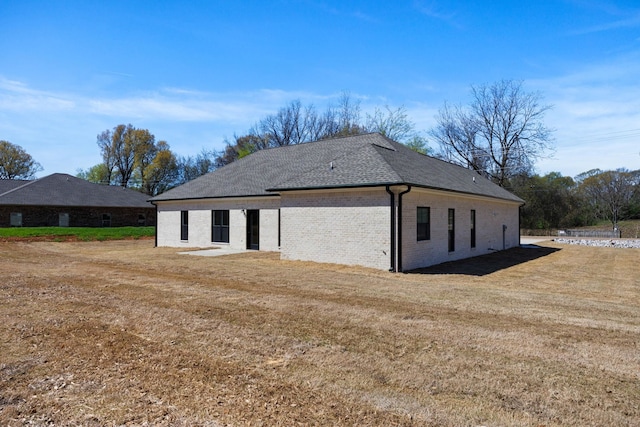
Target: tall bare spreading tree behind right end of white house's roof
pixel 500 134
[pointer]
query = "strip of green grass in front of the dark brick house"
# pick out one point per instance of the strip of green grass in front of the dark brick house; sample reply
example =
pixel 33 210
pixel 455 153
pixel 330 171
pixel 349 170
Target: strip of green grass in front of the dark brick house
pixel 85 234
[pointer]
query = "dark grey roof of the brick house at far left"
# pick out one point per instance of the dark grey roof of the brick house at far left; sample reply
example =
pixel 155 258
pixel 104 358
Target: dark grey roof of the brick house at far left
pixel 61 189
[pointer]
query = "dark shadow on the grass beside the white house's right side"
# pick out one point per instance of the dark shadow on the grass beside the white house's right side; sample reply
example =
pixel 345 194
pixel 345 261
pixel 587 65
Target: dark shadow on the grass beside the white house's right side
pixel 490 263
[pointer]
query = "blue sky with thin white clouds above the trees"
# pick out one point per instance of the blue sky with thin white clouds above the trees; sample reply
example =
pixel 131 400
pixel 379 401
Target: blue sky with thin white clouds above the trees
pixel 195 72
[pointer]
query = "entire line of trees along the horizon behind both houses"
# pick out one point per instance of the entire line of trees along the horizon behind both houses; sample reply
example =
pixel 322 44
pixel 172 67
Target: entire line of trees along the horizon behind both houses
pixel 500 134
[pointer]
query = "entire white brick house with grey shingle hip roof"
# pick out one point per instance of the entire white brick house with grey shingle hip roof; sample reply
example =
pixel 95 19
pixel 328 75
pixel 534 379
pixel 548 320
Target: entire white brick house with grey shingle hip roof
pixel 360 200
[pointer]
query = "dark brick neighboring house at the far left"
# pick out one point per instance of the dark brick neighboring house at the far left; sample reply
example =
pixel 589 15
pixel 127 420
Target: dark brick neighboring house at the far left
pixel 66 201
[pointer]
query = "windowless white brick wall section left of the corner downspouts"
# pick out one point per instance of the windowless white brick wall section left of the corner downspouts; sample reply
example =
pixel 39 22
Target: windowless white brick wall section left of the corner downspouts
pixel 340 226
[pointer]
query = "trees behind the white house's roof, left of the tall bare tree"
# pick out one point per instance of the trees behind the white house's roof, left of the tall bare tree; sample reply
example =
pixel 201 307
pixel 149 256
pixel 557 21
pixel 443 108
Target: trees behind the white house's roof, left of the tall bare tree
pixel 132 157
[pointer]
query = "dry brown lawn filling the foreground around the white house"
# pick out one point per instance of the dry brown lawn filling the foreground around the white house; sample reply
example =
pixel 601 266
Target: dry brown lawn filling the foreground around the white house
pixel 121 333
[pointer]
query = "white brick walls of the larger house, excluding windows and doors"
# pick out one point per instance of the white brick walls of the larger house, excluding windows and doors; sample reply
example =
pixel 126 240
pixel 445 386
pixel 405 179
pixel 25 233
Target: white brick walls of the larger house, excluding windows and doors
pixel 350 226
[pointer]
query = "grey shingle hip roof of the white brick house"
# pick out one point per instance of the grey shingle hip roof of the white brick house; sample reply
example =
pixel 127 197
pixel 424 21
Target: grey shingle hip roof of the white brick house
pixel 357 161
